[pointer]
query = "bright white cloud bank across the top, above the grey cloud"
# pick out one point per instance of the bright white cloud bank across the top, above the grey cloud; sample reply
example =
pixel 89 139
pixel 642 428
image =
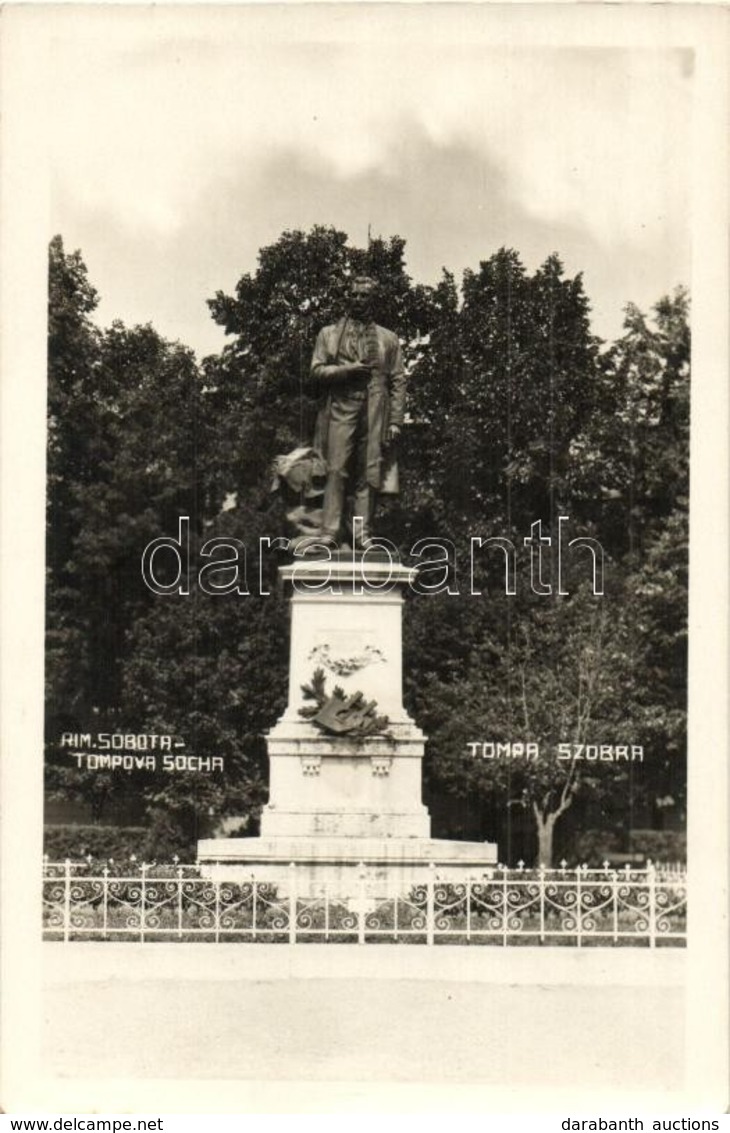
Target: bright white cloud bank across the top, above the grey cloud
pixel 592 138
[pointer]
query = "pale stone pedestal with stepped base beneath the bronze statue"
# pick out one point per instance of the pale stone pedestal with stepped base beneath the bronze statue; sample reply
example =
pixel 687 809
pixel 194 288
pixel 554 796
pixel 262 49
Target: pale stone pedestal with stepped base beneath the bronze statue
pixel 337 803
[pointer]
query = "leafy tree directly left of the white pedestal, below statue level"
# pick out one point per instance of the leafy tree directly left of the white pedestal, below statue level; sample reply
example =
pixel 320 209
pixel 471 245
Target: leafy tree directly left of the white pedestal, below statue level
pixel 215 672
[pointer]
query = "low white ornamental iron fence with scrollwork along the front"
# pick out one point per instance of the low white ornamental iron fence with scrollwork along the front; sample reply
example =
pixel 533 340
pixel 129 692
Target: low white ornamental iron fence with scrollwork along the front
pixel 505 907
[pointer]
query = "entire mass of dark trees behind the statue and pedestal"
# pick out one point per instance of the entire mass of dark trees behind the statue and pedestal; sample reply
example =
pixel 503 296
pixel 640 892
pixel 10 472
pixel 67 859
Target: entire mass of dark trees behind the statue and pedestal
pixel 517 415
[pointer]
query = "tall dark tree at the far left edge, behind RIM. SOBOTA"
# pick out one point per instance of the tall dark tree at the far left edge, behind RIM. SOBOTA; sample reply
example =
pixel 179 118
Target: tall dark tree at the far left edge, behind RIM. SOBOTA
pixel 124 425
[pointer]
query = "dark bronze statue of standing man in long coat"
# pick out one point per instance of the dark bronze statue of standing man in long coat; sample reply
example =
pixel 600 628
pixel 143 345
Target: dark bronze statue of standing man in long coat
pixel 359 367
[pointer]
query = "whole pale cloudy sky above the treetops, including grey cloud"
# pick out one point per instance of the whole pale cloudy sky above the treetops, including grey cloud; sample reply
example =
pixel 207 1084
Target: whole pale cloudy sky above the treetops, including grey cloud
pixel 184 142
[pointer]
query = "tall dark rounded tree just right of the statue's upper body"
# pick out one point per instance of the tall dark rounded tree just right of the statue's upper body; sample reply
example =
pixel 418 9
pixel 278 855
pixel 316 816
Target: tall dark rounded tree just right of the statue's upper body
pixel 520 365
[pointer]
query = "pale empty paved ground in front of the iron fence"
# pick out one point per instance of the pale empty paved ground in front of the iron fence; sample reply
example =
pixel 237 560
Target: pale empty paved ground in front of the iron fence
pixel 207 1011
